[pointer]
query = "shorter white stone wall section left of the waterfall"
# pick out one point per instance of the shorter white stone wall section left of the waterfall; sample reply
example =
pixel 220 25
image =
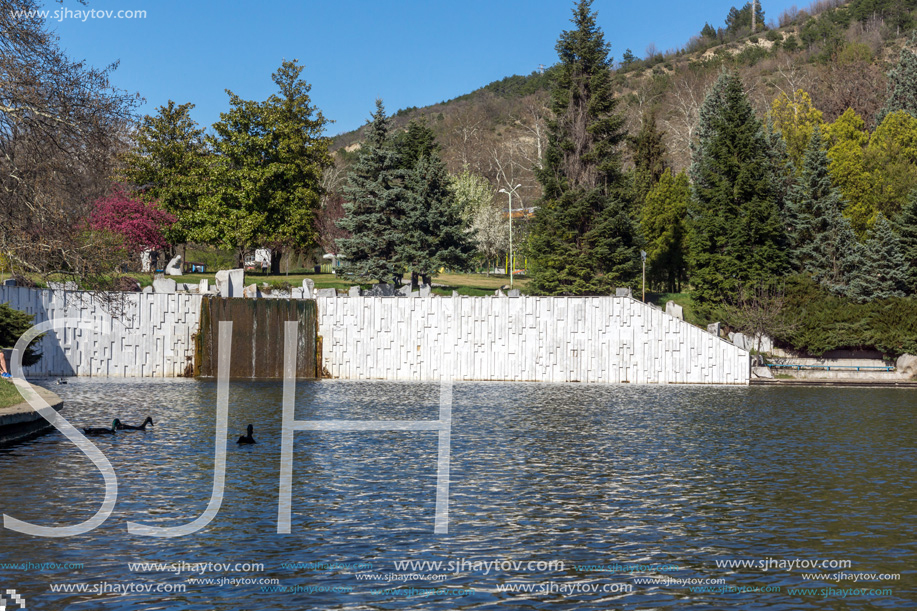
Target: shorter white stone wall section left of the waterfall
pixel 149 337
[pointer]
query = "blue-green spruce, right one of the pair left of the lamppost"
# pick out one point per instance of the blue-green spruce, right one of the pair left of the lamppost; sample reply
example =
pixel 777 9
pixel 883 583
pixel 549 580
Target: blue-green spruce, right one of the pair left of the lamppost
pixel 433 233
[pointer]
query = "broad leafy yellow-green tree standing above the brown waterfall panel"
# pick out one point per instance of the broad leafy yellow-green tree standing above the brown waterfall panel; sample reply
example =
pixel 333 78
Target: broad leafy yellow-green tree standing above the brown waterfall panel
pixel 271 156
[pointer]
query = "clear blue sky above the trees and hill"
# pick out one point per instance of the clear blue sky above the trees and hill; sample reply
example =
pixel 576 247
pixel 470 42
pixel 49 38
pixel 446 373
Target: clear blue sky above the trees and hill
pixel 408 52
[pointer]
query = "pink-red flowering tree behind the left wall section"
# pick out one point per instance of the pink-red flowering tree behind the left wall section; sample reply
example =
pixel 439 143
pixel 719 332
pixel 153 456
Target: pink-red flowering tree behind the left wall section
pixel 139 223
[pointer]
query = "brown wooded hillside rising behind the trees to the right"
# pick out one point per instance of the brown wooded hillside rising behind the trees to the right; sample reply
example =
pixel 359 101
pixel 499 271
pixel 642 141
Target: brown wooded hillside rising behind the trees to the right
pixel 837 52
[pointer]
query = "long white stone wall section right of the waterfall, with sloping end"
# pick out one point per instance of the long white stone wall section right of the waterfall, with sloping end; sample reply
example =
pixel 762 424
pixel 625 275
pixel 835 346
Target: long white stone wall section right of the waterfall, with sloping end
pixel 545 339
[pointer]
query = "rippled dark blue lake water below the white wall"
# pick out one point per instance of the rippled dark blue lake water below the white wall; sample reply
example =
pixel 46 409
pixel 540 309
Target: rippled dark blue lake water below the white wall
pixel 586 476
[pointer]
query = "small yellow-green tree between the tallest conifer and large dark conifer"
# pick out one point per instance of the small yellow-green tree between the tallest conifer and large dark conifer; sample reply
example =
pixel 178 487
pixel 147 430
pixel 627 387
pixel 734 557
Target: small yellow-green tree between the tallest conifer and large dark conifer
pixel 663 225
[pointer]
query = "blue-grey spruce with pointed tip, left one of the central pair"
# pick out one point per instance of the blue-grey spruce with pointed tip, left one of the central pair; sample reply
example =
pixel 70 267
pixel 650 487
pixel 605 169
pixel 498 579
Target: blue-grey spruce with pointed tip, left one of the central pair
pixel 374 207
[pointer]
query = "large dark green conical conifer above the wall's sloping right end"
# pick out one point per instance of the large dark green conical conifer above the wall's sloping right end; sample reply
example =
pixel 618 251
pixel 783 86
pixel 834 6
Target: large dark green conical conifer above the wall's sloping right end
pixel 737 236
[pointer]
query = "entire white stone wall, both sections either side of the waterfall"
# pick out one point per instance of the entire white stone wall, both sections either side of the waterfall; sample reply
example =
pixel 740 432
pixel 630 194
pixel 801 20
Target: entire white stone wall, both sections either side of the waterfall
pixel 548 339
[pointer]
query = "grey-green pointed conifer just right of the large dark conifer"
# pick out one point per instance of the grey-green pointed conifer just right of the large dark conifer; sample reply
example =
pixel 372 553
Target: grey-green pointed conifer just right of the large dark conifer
pixel 822 241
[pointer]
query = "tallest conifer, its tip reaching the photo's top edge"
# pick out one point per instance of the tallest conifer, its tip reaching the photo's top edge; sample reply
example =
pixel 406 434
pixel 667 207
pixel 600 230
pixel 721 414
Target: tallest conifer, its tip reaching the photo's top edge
pixel 583 240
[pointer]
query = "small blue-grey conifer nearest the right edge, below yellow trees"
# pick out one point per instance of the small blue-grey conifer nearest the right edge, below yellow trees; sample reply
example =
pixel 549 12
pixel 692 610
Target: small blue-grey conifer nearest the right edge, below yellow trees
pixel 883 273
